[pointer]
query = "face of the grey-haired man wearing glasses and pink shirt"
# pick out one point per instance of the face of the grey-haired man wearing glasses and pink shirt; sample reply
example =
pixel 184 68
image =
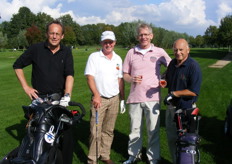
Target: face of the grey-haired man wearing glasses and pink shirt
pixel 144 38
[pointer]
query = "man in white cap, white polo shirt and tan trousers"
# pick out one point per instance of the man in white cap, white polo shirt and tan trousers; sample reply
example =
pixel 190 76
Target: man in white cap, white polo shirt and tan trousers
pixel 105 80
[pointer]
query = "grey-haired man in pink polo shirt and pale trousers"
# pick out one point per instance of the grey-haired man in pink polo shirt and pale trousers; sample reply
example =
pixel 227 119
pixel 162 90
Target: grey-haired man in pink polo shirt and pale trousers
pixel 141 68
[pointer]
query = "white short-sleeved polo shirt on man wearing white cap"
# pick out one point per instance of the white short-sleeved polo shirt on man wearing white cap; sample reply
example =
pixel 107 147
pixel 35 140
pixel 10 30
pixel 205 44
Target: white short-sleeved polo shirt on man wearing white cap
pixel 106 72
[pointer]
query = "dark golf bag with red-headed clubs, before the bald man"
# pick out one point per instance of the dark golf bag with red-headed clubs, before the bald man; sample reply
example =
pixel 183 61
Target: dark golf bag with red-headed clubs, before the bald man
pixel 187 122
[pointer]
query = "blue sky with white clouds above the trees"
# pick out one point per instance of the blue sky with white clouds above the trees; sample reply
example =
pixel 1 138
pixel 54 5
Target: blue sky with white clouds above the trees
pixel 183 16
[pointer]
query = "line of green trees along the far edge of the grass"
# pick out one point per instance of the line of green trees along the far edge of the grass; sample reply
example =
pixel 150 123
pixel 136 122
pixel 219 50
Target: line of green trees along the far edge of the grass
pixel 26 28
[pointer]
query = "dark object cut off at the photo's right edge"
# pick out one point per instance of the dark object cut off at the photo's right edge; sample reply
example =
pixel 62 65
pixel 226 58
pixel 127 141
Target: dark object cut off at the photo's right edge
pixel 228 120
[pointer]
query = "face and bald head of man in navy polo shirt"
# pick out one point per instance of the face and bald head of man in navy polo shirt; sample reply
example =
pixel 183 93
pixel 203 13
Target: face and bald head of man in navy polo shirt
pixel 181 50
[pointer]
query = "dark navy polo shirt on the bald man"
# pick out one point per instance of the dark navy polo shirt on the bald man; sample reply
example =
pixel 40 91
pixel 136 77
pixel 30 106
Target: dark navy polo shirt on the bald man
pixel 186 76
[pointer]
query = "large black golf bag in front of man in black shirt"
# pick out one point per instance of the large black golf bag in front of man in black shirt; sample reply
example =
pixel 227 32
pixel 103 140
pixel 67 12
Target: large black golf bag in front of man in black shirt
pixel 46 124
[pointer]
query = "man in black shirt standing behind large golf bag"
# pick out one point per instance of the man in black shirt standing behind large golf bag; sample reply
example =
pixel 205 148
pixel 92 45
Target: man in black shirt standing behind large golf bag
pixel 52 72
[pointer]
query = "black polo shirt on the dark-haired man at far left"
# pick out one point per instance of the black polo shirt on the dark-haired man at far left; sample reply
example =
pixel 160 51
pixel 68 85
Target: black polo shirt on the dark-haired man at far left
pixel 49 70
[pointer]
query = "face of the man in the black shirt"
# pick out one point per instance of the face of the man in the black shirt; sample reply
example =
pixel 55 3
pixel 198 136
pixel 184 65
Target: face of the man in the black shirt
pixel 54 35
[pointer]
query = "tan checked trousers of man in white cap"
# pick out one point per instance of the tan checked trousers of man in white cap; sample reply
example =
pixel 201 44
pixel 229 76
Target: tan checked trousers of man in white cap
pixel 101 135
